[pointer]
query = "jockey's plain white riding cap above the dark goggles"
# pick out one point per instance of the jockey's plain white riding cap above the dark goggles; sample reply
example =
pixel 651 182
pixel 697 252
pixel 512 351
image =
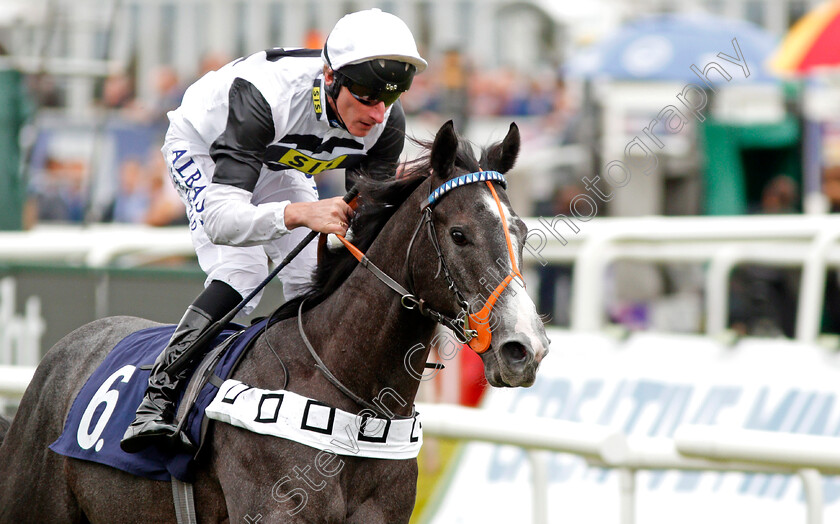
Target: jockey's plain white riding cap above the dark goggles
pixel 365 35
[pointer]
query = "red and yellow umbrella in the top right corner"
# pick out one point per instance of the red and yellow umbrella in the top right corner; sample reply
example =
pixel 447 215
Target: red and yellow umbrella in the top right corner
pixel 813 42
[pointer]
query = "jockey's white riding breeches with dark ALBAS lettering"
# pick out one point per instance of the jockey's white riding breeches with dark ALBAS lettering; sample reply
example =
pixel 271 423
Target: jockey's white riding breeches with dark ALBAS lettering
pixel 243 268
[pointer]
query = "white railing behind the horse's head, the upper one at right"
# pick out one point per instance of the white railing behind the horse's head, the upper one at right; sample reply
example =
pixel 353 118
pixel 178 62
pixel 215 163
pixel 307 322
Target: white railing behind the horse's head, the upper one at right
pixel 807 241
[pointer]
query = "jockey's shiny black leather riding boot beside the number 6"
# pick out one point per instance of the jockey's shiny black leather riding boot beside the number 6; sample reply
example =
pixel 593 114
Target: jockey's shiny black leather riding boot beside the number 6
pixel 154 419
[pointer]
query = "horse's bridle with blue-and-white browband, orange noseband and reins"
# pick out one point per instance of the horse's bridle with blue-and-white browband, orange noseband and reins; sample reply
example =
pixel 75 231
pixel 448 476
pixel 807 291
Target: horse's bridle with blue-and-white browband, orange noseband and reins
pixel 470 328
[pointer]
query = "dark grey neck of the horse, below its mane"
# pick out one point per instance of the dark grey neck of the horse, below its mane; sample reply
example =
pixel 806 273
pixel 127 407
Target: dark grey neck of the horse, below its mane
pixel 362 332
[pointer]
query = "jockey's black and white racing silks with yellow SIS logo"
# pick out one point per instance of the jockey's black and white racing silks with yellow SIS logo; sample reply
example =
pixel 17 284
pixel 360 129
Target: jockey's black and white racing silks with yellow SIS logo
pixel 264 116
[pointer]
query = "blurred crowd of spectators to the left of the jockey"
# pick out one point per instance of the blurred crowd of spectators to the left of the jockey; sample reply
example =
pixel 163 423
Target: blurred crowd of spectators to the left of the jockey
pixel 119 154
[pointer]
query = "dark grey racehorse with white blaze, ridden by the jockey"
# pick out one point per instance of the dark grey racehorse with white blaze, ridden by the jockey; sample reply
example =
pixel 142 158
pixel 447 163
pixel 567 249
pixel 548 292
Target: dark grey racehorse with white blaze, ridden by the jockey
pixel 361 331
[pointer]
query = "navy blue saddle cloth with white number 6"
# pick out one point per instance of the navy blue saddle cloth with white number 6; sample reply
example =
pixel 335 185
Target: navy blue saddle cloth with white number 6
pixel 106 405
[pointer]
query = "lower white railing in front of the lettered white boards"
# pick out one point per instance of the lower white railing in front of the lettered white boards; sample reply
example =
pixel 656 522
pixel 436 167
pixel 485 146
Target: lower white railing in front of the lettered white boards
pixel 693 448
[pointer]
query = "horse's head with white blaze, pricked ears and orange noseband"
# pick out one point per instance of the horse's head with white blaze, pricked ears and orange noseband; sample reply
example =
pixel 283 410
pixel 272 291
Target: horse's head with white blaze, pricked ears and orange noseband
pixel 479 242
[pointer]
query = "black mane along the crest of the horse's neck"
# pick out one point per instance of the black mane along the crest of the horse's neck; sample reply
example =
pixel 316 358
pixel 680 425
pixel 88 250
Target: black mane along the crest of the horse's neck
pixel 379 199
